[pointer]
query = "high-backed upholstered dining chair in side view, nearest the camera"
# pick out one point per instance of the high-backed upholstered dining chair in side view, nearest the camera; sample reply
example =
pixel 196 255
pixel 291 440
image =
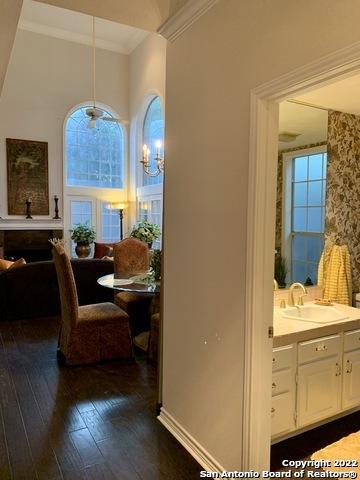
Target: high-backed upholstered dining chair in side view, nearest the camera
pixel 89 333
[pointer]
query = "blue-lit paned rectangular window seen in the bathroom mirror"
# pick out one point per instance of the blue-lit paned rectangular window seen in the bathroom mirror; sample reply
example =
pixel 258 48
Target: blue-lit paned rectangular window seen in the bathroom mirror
pixel 308 178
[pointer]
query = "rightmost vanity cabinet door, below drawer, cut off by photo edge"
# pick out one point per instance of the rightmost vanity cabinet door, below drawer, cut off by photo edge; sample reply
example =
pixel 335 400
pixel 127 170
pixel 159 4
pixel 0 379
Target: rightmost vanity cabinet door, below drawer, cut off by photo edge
pixel 351 381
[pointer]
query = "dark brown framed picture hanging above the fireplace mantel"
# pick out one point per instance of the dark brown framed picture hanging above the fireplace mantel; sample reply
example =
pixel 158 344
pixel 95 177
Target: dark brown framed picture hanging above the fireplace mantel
pixel 27 176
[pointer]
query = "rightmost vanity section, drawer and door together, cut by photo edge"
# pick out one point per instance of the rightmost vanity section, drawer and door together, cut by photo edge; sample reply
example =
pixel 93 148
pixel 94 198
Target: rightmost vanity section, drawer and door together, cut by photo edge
pixel 351 370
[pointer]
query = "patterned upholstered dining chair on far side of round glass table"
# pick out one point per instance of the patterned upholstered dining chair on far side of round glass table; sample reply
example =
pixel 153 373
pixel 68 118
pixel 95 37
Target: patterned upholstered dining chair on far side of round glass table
pixel 132 257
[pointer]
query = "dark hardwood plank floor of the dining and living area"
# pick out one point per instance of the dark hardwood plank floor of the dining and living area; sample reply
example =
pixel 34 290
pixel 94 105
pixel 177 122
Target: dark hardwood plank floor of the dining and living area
pixel 93 422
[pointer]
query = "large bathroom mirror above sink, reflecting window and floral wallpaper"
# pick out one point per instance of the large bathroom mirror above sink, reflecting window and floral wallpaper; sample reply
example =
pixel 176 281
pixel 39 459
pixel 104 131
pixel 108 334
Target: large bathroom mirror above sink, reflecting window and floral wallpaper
pixel 318 188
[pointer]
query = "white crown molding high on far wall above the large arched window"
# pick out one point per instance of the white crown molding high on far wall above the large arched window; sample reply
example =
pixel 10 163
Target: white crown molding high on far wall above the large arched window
pixel 72 36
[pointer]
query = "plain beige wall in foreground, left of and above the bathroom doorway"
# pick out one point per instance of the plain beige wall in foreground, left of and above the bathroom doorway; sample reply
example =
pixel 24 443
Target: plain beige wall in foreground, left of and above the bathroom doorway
pixel 211 69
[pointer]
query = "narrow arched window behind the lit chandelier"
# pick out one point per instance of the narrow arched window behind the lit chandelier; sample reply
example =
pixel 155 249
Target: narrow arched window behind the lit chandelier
pixel 153 131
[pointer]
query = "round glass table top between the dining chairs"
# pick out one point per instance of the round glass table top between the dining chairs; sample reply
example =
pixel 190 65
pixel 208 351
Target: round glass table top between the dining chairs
pixel 143 283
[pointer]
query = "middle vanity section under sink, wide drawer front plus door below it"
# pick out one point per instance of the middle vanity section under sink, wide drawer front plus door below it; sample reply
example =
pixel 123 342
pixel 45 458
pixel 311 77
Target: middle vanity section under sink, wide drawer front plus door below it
pixel 319 379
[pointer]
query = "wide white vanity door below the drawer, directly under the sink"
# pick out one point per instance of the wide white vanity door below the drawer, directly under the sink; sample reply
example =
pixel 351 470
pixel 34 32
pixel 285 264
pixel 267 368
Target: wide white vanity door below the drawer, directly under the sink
pixel 318 392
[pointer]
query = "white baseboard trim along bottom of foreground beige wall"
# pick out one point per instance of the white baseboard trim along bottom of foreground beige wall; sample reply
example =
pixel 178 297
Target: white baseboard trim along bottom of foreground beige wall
pixel 187 441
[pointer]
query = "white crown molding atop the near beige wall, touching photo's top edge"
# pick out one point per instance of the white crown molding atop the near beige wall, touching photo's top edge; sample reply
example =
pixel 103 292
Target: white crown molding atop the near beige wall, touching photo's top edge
pixel 184 18
